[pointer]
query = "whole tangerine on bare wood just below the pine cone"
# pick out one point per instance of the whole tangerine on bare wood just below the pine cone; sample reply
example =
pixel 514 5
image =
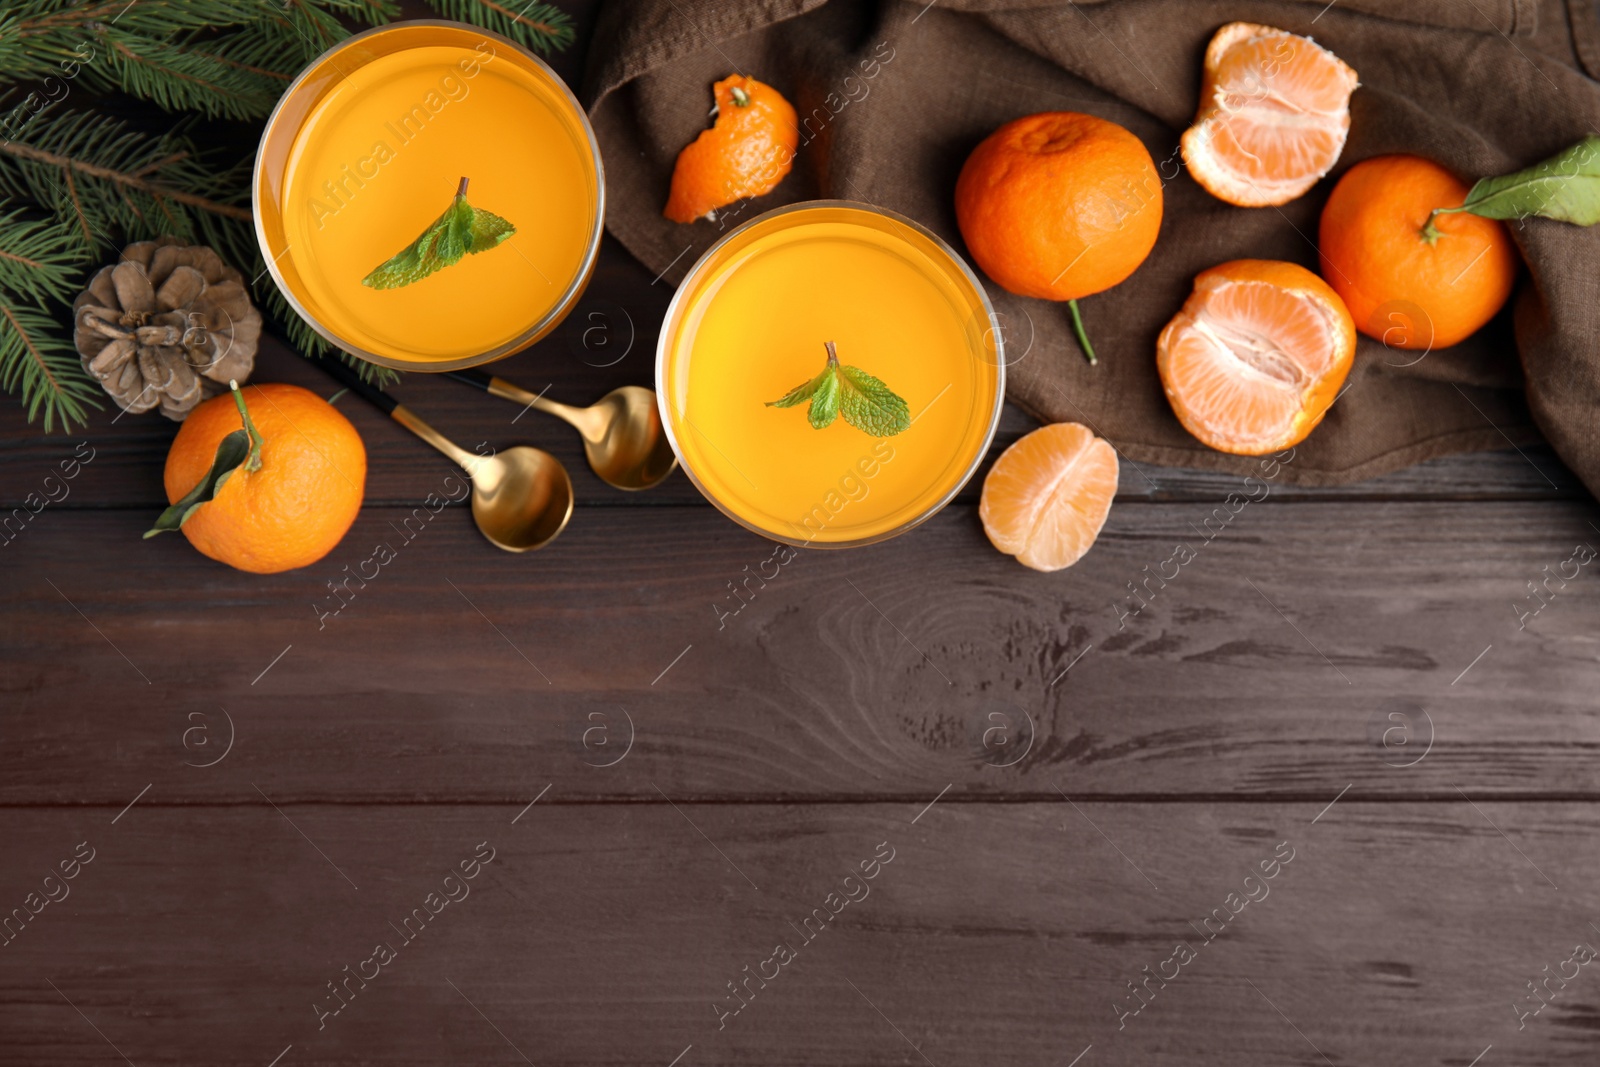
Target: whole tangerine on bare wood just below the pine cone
pixel 292 510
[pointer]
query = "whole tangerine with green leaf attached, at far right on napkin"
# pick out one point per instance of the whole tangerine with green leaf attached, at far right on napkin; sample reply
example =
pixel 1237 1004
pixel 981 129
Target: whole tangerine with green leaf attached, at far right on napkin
pixel 1412 279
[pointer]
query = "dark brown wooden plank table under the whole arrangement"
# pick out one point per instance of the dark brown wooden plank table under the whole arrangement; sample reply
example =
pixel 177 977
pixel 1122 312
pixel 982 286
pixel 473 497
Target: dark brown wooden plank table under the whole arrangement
pixel 1340 761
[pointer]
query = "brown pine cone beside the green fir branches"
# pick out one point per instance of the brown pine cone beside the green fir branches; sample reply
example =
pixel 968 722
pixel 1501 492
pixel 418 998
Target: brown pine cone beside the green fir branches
pixel 169 326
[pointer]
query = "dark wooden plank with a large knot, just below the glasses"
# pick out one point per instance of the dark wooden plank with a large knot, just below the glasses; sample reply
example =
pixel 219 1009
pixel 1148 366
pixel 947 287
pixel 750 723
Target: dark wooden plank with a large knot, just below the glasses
pixel 1300 650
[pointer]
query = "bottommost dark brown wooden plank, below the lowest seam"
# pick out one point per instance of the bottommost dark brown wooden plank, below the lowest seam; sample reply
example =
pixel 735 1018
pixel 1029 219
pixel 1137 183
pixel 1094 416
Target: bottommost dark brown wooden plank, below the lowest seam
pixel 996 935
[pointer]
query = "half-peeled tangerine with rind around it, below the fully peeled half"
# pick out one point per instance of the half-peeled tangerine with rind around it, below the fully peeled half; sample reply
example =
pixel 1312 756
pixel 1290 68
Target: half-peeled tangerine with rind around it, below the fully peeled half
pixel 1257 356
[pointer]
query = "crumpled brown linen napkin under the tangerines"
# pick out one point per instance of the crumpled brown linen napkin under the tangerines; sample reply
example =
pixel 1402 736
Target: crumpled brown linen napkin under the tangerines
pixel 894 95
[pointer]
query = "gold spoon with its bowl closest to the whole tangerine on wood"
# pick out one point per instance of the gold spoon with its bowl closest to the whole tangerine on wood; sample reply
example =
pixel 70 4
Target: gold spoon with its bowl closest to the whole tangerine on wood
pixel 521 498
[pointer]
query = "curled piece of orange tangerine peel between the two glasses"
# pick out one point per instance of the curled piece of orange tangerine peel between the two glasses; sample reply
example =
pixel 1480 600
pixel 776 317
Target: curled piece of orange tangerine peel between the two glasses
pixel 745 154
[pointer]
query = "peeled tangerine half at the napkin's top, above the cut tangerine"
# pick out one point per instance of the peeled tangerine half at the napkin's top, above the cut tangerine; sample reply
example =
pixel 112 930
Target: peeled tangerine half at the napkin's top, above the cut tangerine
pixel 1274 114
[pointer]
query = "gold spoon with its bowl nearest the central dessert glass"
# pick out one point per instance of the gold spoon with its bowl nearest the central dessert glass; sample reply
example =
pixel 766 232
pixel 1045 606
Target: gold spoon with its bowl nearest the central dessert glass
pixel 622 433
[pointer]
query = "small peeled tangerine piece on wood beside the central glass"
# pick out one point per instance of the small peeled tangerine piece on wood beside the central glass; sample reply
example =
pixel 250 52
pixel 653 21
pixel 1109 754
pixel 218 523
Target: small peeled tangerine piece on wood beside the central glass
pixel 1047 497
